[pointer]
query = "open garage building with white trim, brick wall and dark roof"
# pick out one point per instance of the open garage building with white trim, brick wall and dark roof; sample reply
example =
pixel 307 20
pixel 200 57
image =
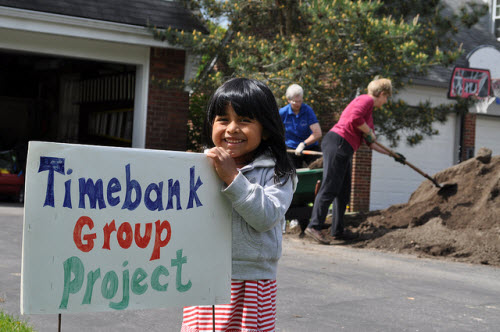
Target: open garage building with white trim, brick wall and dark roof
pixel 86 74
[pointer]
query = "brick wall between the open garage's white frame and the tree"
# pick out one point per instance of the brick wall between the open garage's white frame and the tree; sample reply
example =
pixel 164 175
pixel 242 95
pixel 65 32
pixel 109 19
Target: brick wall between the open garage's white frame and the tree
pixel 166 126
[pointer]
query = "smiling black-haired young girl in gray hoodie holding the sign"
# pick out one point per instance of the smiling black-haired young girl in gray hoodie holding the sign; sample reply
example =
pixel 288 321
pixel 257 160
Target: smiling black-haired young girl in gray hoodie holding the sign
pixel 251 159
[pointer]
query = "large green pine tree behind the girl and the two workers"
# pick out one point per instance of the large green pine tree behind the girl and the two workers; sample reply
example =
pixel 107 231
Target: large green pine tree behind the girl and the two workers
pixel 333 49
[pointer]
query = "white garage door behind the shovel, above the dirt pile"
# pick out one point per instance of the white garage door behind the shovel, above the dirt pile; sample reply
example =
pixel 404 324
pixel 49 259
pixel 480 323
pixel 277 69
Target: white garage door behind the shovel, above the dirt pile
pixel 393 183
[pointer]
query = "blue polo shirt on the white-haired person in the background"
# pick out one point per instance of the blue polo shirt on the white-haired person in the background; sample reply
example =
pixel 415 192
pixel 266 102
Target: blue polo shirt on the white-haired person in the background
pixel 297 126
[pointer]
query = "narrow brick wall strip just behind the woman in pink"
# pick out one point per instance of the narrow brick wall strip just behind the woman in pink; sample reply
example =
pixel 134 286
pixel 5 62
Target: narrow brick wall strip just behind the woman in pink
pixel 361 178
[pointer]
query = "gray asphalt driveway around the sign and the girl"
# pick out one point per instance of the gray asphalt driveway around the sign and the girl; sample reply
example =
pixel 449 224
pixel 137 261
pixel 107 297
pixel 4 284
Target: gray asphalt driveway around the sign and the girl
pixel 320 288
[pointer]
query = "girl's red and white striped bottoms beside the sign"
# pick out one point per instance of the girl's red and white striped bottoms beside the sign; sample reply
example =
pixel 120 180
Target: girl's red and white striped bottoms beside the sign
pixel 252 309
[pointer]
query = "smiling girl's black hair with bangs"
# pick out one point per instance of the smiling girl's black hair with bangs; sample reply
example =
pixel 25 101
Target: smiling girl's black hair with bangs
pixel 252 98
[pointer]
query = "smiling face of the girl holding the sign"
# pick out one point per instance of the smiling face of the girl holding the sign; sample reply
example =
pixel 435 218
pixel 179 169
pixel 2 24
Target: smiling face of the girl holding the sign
pixel 240 136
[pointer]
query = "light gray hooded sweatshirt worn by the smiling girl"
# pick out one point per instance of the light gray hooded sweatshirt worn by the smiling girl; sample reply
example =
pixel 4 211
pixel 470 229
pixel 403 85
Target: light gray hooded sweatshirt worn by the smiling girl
pixel 259 207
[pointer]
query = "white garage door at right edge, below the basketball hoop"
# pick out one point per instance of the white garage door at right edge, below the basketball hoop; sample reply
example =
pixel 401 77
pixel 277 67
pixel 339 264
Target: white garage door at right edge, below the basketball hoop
pixel 488 133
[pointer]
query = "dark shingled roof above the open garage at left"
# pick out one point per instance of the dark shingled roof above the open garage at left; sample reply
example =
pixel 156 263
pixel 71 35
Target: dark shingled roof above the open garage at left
pixel 159 13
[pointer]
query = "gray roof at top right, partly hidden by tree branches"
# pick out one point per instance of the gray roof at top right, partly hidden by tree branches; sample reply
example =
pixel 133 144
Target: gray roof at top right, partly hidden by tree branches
pixel 470 39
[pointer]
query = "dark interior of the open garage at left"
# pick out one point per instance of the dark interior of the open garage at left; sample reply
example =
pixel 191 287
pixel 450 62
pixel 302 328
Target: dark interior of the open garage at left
pixel 66 100
